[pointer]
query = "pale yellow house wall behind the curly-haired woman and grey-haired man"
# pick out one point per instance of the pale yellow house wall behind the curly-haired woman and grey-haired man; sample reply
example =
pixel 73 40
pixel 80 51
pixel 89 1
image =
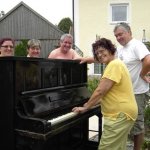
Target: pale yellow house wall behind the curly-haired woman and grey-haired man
pixel 92 17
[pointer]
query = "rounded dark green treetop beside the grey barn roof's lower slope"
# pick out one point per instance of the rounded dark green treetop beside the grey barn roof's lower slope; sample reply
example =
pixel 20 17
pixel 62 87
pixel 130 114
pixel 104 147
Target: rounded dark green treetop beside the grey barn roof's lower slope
pixel 65 24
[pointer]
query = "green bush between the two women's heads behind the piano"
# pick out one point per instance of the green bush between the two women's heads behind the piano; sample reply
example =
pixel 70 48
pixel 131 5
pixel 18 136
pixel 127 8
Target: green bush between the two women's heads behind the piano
pixel 21 48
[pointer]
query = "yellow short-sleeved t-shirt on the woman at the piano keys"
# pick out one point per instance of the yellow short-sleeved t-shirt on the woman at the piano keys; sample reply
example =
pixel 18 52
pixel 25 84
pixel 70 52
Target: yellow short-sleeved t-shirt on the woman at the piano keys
pixel 121 97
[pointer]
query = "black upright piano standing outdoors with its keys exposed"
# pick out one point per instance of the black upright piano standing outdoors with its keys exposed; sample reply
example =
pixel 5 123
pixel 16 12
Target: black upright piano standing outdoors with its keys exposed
pixel 37 97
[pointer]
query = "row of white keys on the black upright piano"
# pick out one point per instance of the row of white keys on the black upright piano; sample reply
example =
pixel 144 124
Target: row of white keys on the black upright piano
pixel 62 118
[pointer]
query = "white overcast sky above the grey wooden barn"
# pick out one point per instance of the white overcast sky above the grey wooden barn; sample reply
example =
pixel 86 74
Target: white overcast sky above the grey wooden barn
pixel 52 10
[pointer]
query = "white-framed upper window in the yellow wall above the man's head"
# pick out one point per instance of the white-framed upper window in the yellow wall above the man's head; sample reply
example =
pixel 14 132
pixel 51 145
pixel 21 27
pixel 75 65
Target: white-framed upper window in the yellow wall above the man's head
pixel 119 12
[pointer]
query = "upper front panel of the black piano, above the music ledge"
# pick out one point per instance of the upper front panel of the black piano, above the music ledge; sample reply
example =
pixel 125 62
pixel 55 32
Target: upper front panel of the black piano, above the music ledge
pixel 34 75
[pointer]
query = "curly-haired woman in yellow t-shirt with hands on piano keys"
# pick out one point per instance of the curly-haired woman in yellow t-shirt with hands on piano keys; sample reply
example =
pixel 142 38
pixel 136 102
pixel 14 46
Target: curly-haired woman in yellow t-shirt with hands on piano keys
pixel 116 97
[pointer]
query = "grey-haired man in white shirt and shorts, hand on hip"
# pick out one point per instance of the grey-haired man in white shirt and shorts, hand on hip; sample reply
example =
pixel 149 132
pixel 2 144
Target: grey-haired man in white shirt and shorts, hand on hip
pixel 137 59
